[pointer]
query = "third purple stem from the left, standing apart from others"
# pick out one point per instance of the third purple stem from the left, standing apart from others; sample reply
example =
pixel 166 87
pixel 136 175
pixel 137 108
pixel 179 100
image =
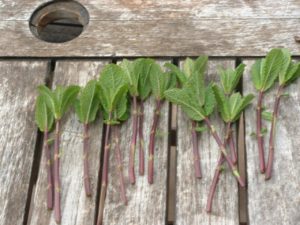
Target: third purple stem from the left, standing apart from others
pixel 86 176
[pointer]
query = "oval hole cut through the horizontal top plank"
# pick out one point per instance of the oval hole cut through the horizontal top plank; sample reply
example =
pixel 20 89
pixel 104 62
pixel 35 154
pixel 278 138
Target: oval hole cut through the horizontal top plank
pixel 59 21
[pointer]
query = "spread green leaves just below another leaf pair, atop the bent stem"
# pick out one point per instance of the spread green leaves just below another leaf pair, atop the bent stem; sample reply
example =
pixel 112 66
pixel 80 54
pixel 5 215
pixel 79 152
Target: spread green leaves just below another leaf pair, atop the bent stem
pixel 231 107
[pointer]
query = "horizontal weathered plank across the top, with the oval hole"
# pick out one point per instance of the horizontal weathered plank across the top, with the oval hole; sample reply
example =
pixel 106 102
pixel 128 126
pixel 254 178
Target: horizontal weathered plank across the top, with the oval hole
pixel 156 28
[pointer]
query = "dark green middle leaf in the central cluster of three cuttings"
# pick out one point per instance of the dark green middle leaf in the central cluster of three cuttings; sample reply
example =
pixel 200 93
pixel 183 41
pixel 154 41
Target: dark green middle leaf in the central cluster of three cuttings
pixel 143 67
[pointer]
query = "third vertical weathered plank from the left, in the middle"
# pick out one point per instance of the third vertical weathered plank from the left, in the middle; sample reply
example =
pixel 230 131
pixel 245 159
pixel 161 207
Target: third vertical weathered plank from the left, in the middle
pixel 146 203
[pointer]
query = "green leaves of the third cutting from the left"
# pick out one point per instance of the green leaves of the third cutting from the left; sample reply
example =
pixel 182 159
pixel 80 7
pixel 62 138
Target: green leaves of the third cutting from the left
pixel 88 102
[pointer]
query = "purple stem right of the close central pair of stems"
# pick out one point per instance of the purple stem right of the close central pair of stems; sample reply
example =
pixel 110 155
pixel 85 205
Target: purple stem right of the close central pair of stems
pixel 152 142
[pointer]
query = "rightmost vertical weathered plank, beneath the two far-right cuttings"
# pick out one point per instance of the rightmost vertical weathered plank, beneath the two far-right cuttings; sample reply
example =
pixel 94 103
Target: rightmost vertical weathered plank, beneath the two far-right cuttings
pixel 276 201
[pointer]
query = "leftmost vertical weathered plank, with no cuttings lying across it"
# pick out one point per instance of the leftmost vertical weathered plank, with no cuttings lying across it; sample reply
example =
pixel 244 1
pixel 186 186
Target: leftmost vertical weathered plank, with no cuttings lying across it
pixel 18 82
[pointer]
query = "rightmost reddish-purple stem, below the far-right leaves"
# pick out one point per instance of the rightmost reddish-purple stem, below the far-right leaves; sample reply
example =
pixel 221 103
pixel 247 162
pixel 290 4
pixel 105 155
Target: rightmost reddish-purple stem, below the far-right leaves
pixel 272 134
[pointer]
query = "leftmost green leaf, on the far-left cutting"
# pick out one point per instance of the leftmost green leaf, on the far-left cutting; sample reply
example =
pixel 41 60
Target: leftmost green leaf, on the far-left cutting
pixel 43 115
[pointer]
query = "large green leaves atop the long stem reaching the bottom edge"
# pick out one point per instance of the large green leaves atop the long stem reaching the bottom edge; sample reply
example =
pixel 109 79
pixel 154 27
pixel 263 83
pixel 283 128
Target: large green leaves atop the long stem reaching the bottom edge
pixel 112 92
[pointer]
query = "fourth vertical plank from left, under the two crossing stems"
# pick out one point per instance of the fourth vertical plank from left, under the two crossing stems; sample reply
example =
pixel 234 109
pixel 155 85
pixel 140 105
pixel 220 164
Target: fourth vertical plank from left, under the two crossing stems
pixel 192 193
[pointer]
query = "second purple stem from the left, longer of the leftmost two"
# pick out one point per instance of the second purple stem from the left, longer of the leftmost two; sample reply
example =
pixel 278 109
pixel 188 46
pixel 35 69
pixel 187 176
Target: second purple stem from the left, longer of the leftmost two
pixel 57 185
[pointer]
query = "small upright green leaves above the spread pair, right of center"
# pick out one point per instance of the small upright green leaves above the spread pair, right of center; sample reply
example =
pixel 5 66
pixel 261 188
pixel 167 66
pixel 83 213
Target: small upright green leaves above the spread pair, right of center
pixel 230 78
